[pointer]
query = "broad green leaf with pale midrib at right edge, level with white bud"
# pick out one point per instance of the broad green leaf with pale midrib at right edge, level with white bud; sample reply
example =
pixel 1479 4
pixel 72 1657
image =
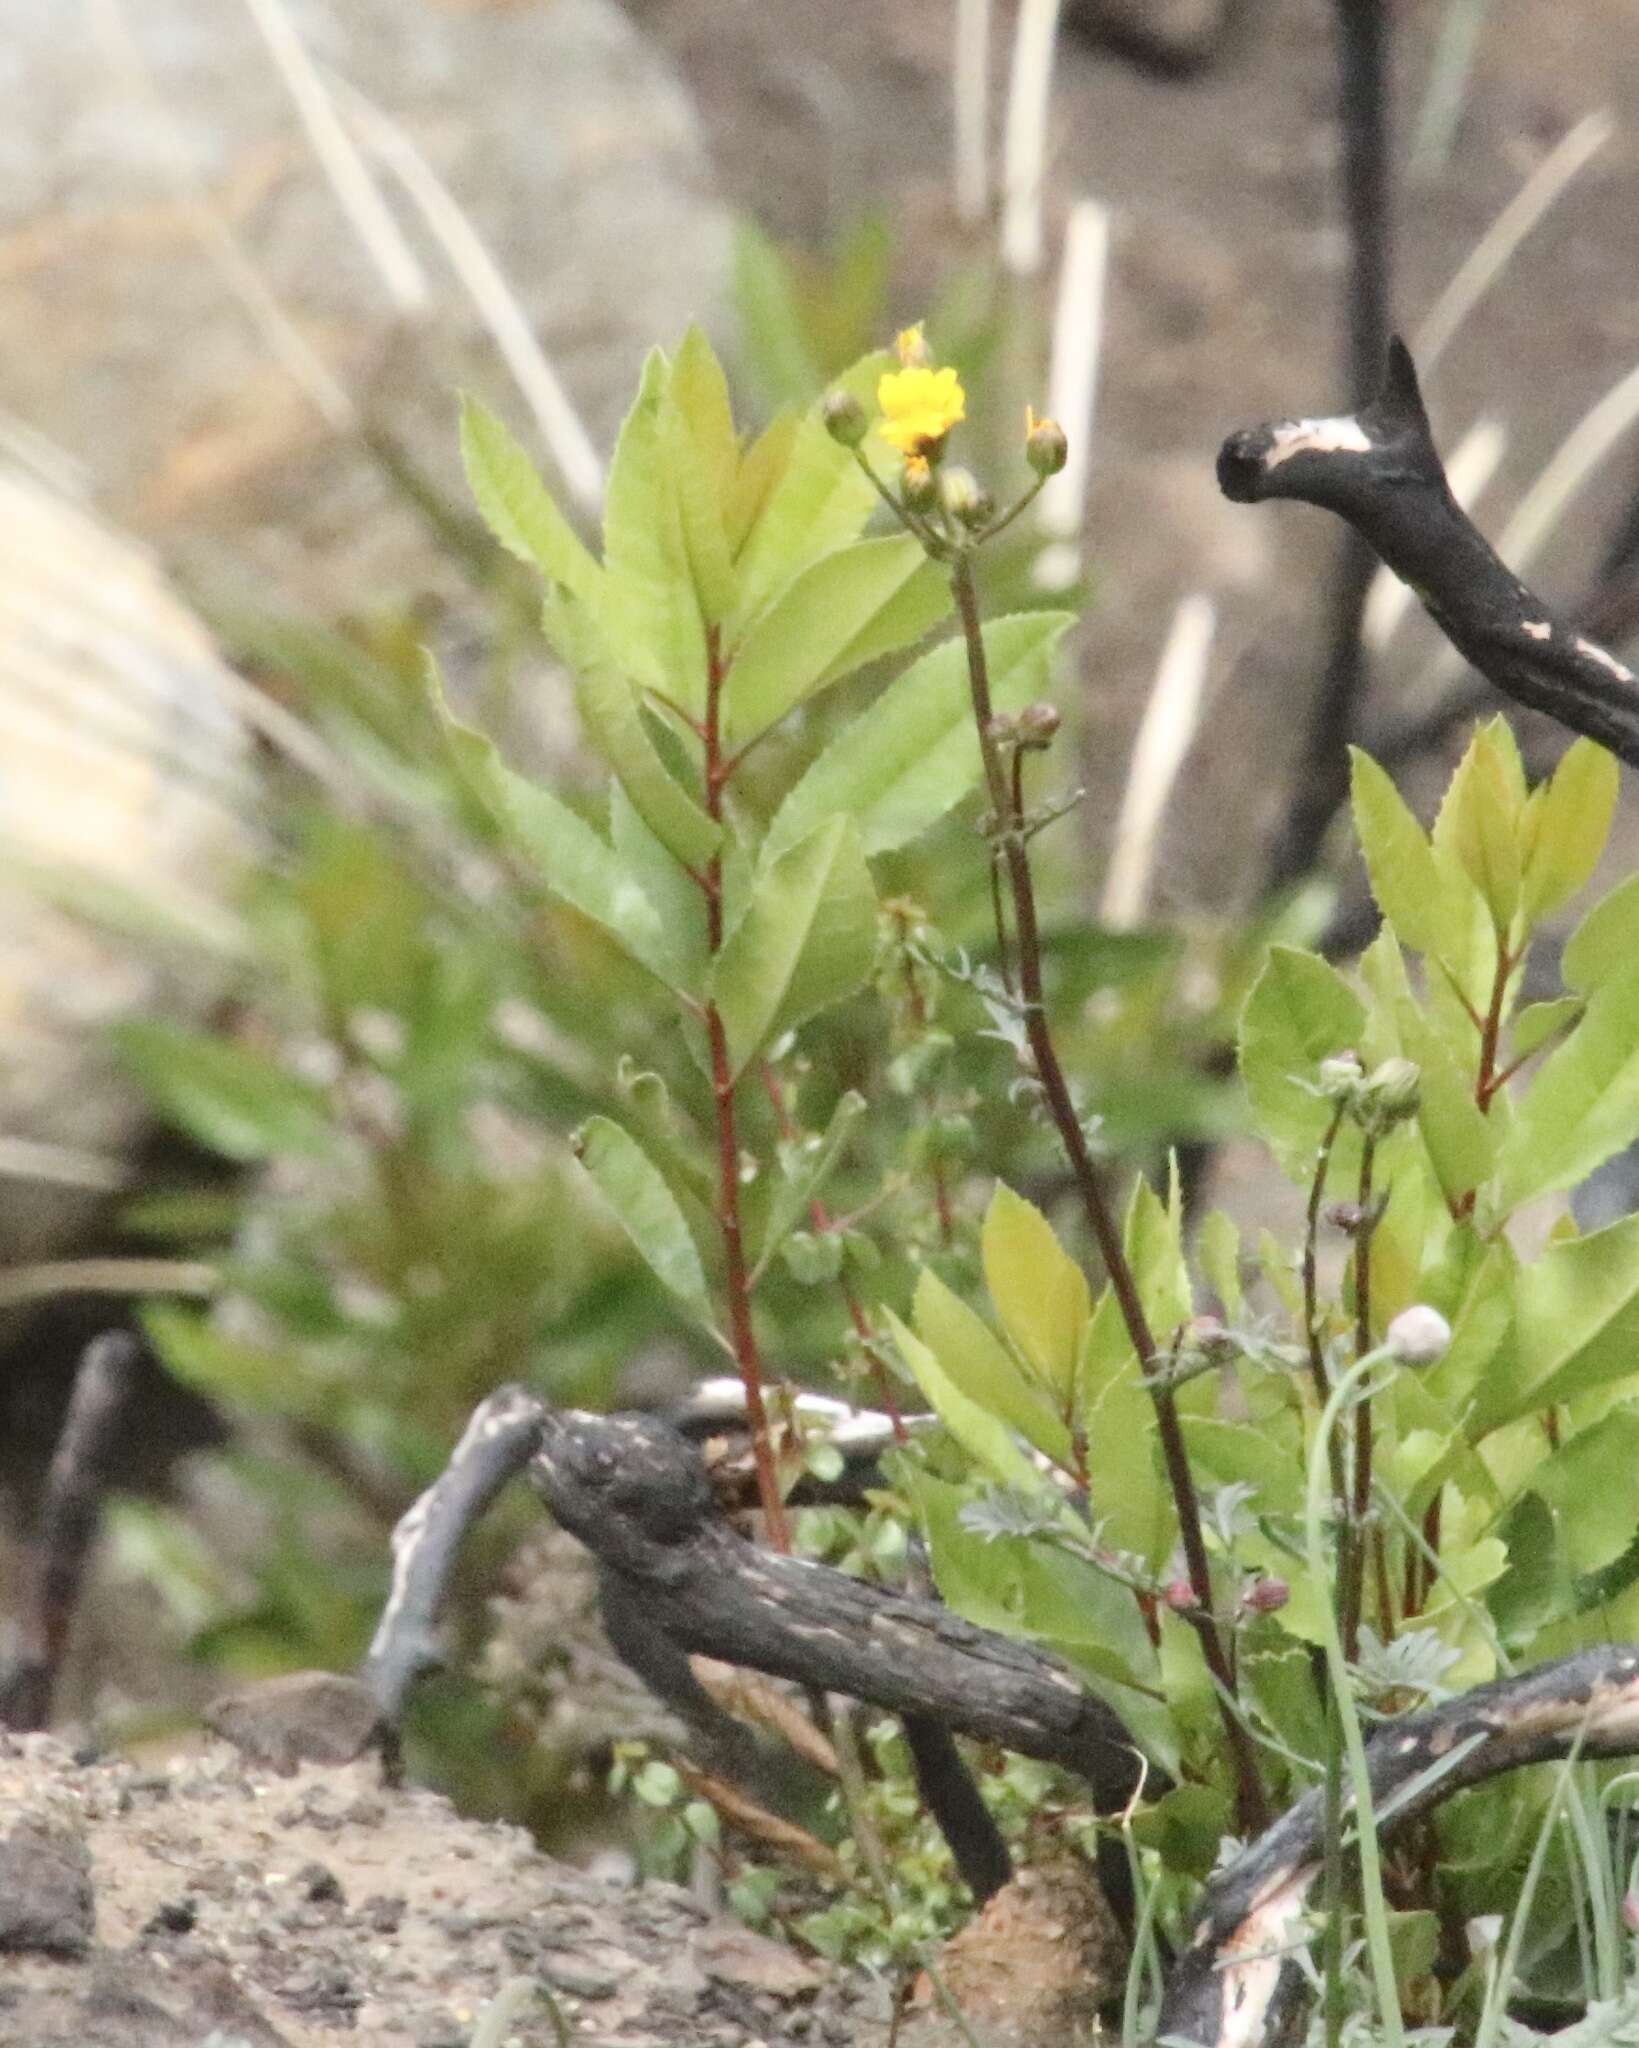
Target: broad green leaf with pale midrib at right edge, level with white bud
pixel 1577 1316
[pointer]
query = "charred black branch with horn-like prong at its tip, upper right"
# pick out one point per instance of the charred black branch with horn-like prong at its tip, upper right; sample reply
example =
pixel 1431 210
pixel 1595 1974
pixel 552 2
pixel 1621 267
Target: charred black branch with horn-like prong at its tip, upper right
pixel 1380 472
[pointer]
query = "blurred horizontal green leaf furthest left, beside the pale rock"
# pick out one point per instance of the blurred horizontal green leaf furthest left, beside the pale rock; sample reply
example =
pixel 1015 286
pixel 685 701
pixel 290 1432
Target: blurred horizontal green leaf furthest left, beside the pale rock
pixel 233 1099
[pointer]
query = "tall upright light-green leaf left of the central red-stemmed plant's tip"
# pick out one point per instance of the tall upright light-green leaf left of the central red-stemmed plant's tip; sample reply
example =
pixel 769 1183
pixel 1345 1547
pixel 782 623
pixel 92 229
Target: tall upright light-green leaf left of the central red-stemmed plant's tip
pixel 650 615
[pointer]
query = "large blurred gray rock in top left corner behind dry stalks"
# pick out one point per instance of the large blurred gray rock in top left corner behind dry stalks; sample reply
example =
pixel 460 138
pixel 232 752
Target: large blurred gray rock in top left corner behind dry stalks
pixel 556 126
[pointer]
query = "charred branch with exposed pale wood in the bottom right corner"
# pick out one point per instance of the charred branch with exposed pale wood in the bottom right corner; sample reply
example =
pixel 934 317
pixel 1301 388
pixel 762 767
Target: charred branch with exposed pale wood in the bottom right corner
pixel 1234 1983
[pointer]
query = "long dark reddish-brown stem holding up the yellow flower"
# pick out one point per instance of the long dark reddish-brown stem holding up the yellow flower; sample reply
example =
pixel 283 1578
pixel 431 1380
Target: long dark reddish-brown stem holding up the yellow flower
pixel 1097 1203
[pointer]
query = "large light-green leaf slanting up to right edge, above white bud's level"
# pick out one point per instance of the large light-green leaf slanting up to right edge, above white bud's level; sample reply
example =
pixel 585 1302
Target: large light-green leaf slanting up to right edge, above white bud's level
pixel 1583 1105
